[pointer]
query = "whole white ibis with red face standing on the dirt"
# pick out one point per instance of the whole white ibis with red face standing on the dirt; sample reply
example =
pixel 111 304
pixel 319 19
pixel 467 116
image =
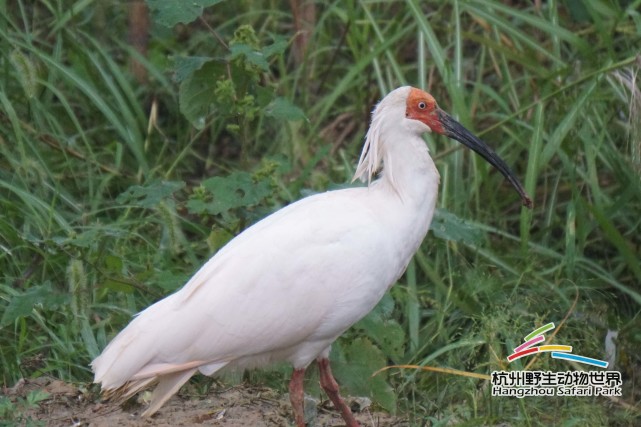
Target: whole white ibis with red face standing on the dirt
pixel 287 287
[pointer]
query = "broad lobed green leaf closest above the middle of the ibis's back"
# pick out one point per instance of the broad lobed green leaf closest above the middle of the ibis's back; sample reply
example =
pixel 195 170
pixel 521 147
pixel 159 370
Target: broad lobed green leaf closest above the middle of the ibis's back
pixel 233 191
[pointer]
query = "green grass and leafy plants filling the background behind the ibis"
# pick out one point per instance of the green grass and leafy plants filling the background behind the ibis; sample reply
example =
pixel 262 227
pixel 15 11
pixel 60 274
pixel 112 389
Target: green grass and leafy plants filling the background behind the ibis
pixel 103 210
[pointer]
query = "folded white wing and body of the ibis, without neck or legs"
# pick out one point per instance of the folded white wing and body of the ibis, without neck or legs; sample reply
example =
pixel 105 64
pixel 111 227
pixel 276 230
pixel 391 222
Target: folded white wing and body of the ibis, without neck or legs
pixel 300 276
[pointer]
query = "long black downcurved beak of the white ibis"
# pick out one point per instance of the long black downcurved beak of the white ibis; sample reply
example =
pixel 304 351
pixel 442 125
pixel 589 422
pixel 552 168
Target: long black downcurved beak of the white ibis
pixel 455 130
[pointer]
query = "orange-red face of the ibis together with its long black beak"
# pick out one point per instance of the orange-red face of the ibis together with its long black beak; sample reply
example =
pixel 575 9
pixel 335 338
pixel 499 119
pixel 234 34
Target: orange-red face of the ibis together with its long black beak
pixel 421 106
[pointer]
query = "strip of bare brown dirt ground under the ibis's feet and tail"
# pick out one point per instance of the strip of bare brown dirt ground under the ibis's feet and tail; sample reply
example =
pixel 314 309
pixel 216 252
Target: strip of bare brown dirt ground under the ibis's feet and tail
pixel 239 406
